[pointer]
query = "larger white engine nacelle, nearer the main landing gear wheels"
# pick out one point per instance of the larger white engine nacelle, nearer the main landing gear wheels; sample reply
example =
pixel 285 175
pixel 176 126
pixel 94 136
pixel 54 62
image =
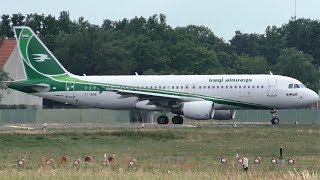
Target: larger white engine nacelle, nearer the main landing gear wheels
pixel 198 110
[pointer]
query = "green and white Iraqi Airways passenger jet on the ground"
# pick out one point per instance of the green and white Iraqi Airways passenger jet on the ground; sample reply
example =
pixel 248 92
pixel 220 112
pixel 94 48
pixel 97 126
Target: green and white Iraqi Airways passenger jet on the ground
pixel 197 97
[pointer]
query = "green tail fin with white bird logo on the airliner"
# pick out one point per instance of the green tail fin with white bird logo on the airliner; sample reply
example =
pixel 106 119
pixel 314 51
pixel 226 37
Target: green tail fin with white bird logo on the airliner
pixel 37 59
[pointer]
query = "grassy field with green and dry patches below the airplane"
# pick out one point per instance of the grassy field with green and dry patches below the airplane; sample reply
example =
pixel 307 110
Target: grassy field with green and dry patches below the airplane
pixel 174 153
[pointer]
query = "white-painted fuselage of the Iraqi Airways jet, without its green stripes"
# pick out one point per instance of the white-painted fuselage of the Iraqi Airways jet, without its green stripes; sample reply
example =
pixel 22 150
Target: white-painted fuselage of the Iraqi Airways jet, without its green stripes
pixel 265 90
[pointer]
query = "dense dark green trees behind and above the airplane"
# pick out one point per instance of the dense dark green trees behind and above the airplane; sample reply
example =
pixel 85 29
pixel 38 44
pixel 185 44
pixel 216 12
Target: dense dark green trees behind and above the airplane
pixel 151 46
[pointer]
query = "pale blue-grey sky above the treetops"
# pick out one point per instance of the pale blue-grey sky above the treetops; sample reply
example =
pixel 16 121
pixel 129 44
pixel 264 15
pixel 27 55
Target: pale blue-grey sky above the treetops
pixel 223 17
